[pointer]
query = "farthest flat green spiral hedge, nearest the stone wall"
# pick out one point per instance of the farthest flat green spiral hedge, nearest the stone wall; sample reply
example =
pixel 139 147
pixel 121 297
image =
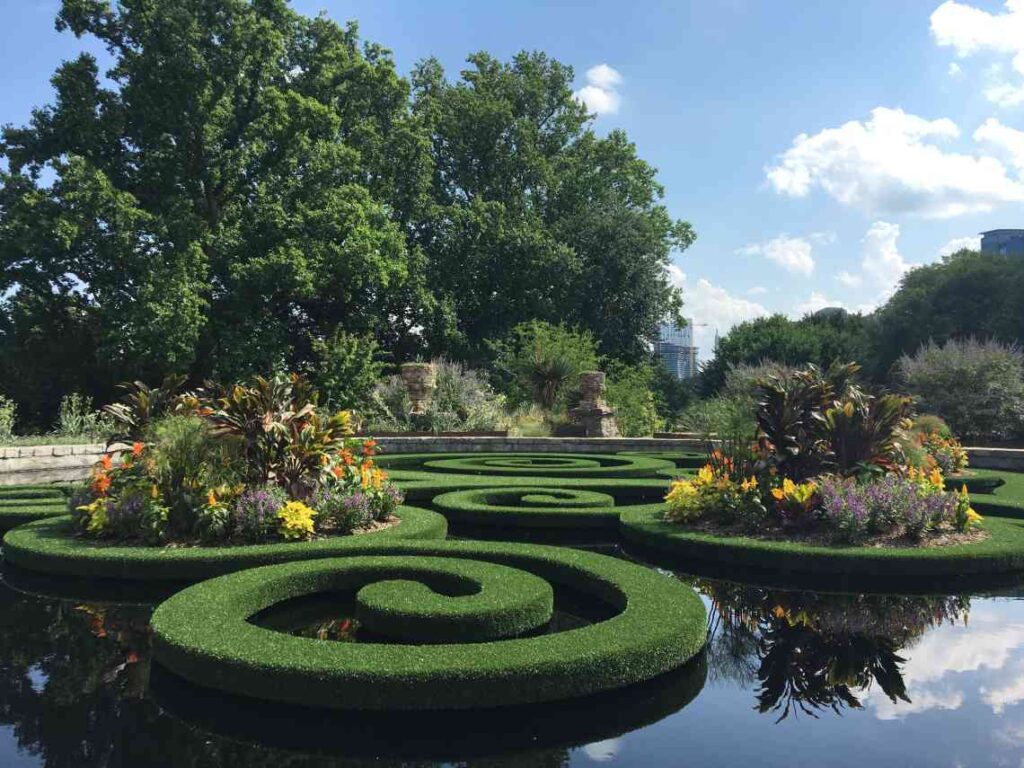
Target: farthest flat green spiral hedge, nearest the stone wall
pixel 573 466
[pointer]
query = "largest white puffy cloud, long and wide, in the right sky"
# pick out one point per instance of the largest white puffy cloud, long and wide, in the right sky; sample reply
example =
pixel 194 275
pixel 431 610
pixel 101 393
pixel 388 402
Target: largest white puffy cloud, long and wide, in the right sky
pixel 892 164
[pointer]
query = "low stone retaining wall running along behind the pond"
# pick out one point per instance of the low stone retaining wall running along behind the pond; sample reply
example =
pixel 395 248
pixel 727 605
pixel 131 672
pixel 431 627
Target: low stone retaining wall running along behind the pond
pixel 56 463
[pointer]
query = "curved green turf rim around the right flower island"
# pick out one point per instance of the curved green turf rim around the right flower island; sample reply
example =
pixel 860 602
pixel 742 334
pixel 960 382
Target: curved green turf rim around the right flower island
pixel 1003 552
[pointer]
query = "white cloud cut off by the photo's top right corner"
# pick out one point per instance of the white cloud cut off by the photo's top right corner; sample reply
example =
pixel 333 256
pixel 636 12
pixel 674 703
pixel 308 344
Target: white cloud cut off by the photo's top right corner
pixel 969 31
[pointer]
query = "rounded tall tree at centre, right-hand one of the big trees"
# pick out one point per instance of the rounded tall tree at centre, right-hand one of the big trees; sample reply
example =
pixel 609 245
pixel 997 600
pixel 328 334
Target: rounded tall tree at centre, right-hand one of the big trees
pixel 537 218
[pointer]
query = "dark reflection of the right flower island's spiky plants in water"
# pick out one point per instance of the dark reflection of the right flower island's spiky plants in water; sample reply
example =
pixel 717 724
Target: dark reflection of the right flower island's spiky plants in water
pixel 810 652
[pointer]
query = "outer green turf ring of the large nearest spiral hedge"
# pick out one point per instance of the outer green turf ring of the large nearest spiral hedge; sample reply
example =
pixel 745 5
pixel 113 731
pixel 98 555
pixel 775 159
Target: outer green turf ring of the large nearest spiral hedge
pixel 202 635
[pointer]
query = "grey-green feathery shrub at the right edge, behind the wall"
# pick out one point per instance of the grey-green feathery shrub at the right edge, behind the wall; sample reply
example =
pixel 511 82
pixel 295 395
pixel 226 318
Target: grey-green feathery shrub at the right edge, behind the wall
pixel 976 387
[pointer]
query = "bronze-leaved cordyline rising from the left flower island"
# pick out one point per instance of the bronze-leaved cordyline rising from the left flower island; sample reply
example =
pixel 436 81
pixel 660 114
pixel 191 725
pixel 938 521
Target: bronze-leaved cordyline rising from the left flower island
pixel 282 436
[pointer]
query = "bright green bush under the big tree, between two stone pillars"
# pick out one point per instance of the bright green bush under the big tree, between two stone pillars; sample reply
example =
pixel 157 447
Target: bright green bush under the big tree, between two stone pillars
pixel 542 363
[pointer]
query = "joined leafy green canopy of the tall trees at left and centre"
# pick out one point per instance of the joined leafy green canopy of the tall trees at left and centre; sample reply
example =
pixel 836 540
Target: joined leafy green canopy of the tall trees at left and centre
pixel 244 182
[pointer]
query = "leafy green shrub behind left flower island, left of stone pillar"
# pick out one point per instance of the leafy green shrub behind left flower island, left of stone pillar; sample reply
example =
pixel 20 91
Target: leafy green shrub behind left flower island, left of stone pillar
pixel 347 371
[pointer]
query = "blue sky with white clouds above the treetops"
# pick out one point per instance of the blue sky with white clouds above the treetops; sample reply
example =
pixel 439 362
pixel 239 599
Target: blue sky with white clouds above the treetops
pixel 819 149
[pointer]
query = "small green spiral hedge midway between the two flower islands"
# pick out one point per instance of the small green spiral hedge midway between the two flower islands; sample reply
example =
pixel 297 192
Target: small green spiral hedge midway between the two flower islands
pixel 532 506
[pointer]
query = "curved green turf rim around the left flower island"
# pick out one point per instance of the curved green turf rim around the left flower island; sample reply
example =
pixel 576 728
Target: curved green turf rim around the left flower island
pixel 50 546
